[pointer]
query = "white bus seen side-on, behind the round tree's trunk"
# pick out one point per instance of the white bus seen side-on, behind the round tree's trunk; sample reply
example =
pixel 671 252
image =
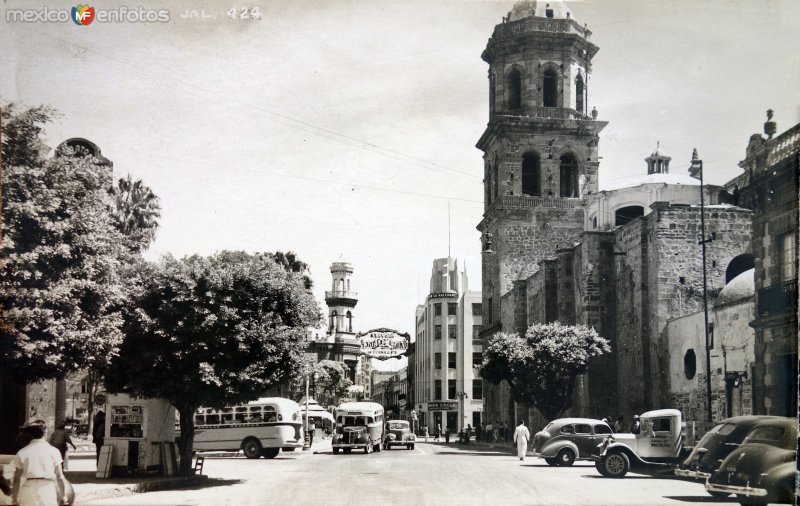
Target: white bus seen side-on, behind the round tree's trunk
pixel 258 428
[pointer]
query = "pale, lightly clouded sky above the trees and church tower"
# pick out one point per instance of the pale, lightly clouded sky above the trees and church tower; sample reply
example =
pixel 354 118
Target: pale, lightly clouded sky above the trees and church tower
pixel 346 129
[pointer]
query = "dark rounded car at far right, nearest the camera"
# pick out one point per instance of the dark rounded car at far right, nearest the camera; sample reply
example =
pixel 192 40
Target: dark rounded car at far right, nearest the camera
pixel 762 470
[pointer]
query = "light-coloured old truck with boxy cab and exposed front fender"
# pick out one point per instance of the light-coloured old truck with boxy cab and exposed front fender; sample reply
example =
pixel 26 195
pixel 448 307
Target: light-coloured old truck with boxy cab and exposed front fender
pixel 656 448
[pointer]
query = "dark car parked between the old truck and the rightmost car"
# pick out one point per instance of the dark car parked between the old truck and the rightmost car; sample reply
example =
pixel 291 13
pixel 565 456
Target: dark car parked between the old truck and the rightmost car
pixel 717 444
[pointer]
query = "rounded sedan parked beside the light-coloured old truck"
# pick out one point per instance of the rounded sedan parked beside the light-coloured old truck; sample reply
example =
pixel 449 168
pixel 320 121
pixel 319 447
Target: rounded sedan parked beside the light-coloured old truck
pixel 566 440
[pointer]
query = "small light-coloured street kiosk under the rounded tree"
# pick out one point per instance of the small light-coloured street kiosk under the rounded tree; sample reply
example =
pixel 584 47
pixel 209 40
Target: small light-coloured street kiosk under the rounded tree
pixel 140 434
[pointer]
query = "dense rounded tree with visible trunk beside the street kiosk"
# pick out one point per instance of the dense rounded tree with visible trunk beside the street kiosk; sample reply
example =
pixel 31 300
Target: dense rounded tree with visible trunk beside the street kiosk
pixel 212 331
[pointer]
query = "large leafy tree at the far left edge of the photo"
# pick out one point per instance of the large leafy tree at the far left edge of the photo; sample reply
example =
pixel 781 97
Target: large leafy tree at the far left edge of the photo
pixel 60 290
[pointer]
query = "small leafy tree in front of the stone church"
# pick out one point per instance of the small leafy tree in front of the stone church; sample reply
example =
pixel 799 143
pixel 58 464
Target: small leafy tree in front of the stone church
pixel 542 367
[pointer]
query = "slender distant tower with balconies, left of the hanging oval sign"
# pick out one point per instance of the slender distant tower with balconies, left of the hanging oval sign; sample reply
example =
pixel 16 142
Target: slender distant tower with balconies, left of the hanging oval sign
pixel 341 303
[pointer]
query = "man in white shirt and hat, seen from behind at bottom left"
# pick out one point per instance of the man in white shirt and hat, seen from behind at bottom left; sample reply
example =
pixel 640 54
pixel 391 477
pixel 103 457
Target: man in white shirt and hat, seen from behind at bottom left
pixel 38 478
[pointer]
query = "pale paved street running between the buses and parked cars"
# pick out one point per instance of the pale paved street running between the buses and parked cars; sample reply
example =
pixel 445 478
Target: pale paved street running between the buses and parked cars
pixel 433 473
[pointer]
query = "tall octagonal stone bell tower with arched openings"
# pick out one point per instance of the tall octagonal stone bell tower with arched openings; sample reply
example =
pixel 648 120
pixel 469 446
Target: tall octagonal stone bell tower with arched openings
pixel 540 146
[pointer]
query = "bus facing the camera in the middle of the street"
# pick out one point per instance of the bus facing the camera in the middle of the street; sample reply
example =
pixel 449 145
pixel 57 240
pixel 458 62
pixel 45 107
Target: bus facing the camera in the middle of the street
pixel 359 425
